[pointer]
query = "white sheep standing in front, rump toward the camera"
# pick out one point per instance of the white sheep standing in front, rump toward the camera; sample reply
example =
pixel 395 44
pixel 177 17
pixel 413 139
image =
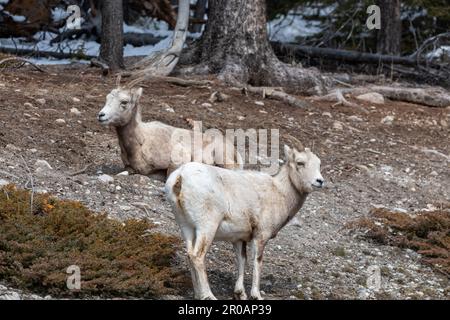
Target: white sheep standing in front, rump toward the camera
pixel 238 206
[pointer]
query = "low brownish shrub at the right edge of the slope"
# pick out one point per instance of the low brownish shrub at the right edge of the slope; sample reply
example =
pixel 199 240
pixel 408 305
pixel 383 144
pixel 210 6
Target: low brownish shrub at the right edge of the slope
pixel 426 232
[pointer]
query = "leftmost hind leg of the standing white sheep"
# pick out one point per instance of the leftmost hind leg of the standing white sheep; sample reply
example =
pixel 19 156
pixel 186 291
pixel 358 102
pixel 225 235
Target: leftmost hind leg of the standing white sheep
pixel 197 254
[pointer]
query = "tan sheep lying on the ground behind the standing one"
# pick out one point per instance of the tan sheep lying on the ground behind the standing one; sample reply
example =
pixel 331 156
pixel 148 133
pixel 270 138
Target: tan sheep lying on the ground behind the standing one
pixel 151 146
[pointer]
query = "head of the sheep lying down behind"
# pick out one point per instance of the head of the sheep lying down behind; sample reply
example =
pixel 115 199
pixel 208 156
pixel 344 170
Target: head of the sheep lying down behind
pixel 120 106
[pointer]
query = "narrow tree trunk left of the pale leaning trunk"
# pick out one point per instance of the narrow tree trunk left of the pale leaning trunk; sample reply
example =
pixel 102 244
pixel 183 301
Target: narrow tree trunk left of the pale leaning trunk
pixel 111 47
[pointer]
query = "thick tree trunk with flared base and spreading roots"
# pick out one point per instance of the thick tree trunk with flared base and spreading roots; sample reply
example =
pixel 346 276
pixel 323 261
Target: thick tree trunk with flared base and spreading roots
pixel 235 46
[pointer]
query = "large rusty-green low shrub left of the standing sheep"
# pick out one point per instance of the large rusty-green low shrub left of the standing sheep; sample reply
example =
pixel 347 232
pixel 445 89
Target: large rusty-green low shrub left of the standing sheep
pixel 116 259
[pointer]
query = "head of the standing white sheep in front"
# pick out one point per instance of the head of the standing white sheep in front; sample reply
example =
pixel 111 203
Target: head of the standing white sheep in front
pixel 304 169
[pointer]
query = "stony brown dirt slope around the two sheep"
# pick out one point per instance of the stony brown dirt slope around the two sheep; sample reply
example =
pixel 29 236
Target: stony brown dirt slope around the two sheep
pixel 367 162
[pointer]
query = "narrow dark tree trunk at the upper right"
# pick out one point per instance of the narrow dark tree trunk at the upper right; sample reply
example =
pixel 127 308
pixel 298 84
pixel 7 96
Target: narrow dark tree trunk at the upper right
pixel 389 35
